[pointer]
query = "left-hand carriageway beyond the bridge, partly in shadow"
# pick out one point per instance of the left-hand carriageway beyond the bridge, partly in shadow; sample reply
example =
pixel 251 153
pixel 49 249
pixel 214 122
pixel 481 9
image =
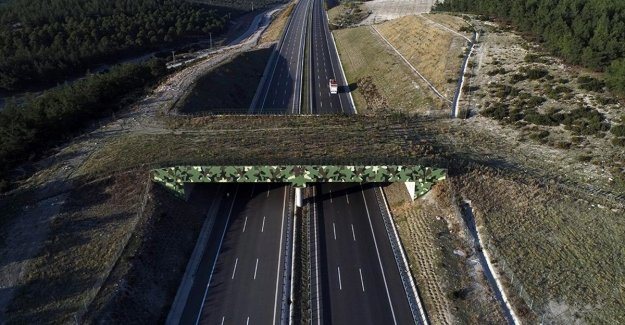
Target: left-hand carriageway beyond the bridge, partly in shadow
pixel 281 91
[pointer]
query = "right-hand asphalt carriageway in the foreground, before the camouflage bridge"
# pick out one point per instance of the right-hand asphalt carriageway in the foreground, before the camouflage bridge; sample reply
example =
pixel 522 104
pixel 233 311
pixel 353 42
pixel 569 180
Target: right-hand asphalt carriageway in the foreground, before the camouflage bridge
pixel 354 276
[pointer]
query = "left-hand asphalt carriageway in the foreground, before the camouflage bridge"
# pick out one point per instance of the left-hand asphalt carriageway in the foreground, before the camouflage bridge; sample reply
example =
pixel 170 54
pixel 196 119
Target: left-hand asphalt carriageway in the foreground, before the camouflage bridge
pixel 243 265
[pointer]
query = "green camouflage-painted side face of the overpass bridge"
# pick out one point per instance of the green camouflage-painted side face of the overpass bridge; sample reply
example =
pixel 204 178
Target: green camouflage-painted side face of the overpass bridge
pixel 418 179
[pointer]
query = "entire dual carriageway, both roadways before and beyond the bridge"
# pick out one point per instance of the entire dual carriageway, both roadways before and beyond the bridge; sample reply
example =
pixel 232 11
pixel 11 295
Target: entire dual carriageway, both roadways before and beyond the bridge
pixel 244 273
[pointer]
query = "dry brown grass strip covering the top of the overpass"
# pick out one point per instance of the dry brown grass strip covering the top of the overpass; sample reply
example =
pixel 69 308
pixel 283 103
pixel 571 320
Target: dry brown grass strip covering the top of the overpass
pixel 266 140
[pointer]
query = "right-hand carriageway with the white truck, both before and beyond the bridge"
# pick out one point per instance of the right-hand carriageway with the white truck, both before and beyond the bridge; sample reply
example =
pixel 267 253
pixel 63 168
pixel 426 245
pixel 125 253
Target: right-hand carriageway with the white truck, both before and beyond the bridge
pixel 354 276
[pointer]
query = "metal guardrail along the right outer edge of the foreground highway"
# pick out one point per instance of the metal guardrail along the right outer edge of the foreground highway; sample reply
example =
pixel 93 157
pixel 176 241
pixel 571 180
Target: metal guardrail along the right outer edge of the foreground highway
pixel 416 306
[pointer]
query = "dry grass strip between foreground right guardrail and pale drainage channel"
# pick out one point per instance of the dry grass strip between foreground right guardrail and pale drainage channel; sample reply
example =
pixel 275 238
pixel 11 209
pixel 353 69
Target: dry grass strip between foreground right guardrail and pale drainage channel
pixel 453 292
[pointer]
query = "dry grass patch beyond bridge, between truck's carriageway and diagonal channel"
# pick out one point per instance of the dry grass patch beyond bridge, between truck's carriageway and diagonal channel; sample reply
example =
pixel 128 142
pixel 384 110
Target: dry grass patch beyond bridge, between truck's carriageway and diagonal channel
pixel 363 54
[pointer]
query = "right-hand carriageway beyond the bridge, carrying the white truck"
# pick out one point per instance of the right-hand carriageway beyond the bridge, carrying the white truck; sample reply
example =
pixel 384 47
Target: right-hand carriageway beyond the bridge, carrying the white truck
pixel 325 65
